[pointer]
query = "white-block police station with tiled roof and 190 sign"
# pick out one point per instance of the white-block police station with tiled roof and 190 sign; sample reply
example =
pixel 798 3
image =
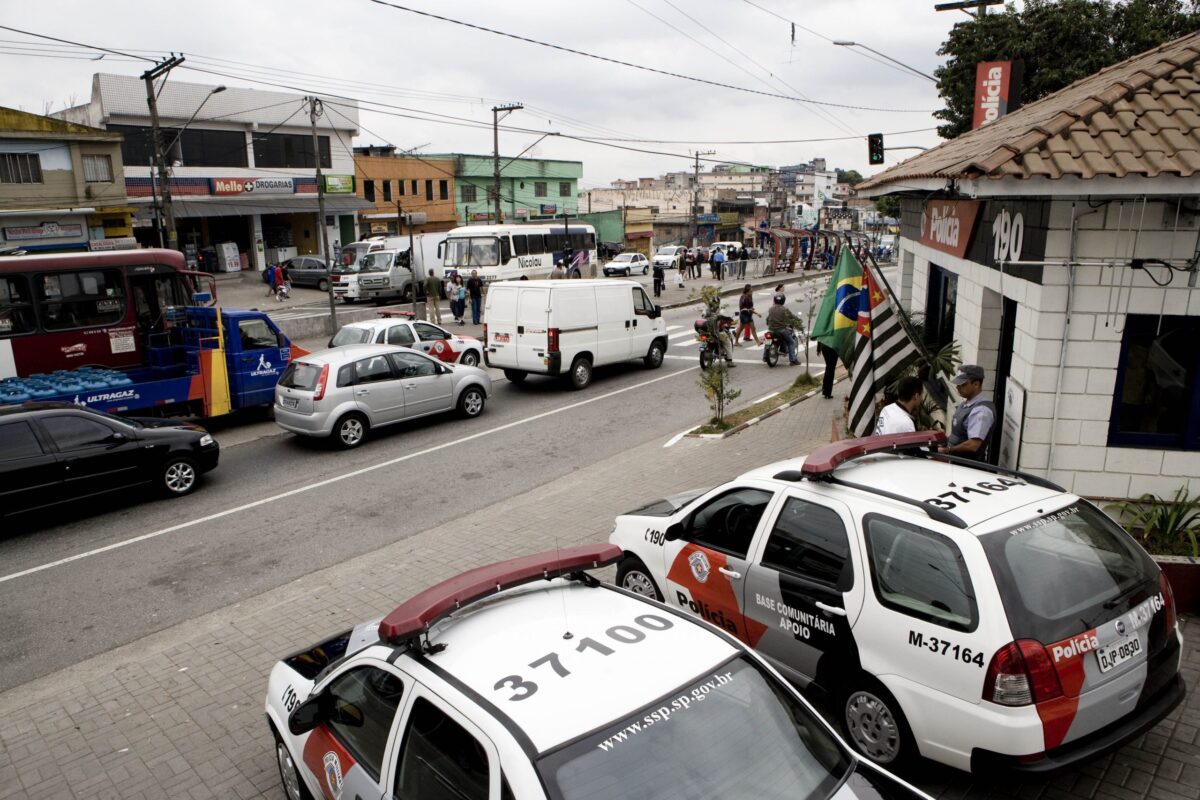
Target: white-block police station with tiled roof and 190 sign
pixel 1059 248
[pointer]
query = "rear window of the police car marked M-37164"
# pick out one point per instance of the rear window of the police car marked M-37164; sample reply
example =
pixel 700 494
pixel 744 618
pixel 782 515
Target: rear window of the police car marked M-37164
pixel 1060 572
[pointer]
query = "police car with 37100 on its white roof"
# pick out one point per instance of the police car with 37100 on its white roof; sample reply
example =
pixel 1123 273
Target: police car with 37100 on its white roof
pixel 532 679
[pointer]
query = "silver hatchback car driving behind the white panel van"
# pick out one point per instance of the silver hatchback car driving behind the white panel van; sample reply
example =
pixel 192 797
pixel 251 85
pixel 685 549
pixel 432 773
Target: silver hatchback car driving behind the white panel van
pixel 350 390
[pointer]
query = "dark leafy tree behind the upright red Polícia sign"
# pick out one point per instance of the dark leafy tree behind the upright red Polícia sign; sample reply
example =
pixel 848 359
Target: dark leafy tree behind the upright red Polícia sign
pixel 1060 41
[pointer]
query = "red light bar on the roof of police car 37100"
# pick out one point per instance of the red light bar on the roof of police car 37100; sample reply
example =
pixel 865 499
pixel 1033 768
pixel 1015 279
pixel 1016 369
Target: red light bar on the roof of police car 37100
pixel 418 615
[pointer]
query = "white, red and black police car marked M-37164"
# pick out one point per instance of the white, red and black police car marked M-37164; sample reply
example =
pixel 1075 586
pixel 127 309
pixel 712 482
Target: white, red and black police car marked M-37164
pixel 946 609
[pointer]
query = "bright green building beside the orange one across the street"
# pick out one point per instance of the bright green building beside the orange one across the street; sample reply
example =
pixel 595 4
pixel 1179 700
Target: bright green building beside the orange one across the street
pixel 532 190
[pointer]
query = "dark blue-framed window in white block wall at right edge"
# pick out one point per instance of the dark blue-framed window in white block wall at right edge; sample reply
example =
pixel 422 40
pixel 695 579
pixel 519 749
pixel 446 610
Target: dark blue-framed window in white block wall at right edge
pixel 1157 386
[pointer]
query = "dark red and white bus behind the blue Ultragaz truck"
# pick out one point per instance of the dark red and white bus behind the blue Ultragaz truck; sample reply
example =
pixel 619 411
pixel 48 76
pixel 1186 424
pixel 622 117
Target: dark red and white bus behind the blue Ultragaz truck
pixel 64 311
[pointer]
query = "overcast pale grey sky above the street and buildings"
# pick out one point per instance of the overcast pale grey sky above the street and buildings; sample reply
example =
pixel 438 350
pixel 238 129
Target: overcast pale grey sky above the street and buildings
pixel 379 53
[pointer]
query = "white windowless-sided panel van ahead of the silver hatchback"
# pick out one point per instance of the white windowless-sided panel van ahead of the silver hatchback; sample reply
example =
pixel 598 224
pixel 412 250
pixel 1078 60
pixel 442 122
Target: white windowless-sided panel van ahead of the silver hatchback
pixel 567 328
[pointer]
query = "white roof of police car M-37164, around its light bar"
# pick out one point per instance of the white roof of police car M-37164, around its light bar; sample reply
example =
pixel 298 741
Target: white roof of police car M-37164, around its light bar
pixel 923 479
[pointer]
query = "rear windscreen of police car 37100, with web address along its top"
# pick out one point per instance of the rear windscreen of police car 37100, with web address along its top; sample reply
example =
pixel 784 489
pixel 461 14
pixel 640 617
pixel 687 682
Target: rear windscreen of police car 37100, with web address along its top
pixel 734 733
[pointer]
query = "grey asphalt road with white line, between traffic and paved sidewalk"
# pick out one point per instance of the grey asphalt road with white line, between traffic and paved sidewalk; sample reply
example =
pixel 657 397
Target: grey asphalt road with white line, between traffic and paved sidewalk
pixel 83 581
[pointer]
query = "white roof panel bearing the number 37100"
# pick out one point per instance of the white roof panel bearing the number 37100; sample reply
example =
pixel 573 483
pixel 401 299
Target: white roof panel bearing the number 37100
pixel 610 671
